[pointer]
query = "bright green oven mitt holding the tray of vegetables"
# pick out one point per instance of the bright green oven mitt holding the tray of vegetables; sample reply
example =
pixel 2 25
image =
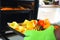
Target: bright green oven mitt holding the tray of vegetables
pixel 47 34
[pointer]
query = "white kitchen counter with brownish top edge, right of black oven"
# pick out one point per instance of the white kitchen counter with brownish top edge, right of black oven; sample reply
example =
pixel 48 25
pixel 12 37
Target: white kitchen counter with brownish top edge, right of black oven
pixel 49 11
